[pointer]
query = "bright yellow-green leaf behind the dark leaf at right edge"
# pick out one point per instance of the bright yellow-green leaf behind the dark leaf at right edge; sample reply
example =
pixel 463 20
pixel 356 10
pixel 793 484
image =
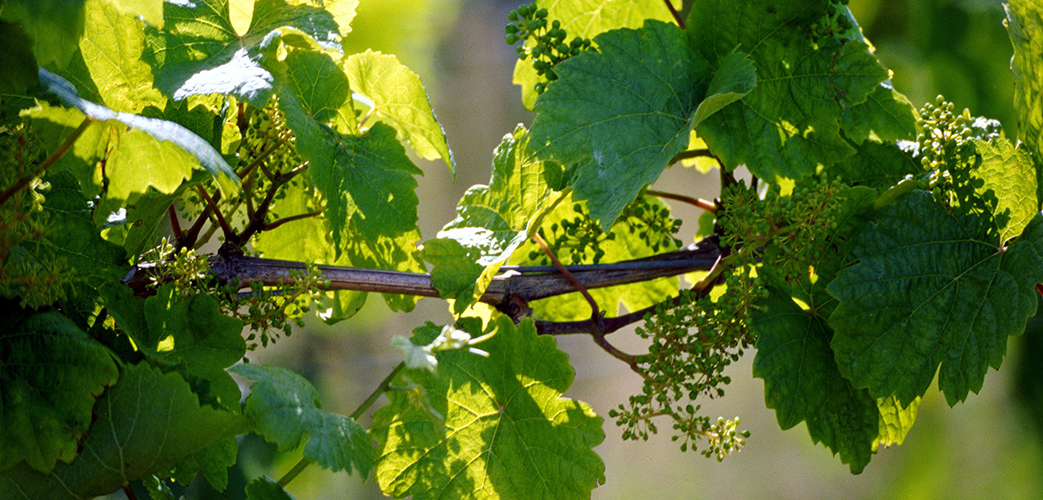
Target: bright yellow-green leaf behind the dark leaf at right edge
pixel 1007 180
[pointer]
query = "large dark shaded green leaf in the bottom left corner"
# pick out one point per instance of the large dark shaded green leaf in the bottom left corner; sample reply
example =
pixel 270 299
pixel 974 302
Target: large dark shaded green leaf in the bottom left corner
pixel 145 424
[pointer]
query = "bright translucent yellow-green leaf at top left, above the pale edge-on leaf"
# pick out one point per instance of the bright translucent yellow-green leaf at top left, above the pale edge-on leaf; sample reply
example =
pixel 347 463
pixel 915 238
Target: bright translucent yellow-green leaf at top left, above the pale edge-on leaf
pixel 112 46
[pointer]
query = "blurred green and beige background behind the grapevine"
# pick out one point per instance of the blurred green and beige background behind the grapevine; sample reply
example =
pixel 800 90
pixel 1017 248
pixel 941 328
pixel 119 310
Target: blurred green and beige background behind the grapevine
pixel 988 447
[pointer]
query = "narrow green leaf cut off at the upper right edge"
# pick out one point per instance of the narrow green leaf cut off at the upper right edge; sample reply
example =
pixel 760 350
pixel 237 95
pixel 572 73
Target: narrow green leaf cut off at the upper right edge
pixel 1025 23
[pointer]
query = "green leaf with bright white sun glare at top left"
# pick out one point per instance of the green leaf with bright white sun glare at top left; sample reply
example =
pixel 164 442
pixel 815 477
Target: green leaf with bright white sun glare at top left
pixel 199 51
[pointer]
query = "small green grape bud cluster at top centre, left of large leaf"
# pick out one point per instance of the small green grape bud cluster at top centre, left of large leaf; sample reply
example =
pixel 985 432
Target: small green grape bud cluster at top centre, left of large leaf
pixel 546 46
